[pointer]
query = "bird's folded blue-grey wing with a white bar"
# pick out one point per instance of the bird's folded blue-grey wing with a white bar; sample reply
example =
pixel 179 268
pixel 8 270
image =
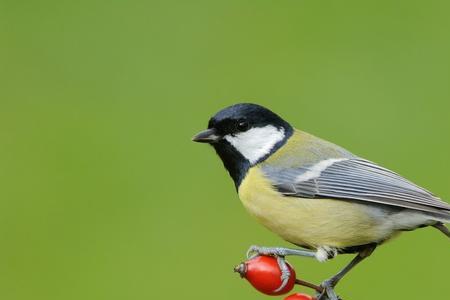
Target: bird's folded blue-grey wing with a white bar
pixel 355 179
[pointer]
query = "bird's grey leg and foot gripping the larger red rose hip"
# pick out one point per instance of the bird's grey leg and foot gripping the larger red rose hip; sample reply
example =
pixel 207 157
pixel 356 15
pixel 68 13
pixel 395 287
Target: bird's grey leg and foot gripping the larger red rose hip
pixel 280 254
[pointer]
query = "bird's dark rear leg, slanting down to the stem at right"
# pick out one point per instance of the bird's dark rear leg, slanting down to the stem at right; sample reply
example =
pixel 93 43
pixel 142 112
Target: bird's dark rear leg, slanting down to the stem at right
pixel 329 284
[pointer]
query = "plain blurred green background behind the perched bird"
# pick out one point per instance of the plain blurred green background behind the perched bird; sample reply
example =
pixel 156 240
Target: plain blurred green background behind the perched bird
pixel 104 196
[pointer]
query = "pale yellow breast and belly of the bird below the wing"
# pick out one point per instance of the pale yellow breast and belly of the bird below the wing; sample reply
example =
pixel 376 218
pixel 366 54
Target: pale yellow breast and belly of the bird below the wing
pixel 308 222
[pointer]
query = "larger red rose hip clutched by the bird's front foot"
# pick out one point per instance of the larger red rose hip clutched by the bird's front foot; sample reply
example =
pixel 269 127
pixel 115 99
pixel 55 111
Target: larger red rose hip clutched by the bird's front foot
pixel 264 274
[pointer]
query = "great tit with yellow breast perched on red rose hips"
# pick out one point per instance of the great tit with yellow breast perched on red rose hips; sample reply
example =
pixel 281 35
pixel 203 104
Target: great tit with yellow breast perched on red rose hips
pixel 314 194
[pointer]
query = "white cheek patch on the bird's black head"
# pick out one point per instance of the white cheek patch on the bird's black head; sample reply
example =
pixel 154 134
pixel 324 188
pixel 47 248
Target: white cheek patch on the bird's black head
pixel 256 142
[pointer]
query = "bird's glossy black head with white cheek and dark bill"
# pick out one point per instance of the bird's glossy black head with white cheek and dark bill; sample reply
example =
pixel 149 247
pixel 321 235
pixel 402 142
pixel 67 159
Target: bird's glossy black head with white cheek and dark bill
pixel 243 135
